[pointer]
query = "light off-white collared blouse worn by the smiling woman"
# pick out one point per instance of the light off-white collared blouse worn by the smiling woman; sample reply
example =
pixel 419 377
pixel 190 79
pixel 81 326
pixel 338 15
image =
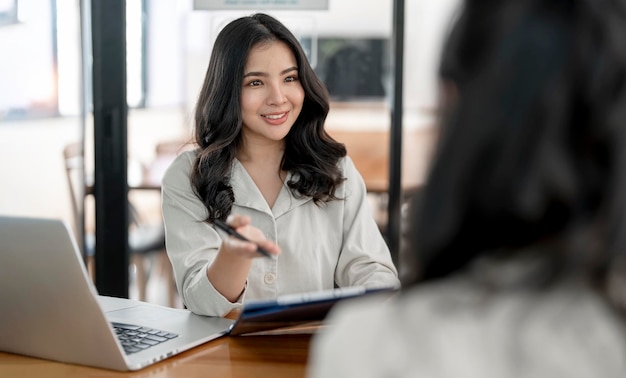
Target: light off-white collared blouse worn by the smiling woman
pixel 335 244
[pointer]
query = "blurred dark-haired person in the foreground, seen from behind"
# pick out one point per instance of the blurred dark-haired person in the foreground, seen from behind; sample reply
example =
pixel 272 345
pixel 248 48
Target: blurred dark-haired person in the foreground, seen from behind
pixel 520 232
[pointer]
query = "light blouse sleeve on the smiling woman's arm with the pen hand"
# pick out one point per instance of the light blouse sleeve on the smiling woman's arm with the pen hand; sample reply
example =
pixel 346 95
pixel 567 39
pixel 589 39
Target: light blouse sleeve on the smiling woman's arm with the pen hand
pixel 191 243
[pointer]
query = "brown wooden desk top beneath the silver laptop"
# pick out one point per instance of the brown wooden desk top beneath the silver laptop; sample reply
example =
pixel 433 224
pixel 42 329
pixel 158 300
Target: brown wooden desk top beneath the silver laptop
pixel 227 357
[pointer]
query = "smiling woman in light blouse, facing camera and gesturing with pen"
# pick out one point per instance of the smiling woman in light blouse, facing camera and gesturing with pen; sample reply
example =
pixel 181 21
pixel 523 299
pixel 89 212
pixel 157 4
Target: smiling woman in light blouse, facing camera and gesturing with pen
pixel 265 164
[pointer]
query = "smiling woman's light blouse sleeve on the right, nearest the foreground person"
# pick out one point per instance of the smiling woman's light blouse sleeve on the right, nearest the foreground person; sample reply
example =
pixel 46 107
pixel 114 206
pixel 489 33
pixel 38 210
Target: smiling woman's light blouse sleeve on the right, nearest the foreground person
pixel 364 259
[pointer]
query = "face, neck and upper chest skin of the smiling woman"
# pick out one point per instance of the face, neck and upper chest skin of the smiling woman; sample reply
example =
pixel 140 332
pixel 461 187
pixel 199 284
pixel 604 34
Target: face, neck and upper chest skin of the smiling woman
pixel 271 101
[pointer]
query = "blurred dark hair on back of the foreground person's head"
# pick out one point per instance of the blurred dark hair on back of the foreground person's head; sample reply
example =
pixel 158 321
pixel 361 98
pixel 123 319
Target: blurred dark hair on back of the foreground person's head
pixel 533 149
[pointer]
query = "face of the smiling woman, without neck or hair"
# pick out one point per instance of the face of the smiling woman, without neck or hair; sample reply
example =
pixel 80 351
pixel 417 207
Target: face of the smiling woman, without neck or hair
pixel 272 95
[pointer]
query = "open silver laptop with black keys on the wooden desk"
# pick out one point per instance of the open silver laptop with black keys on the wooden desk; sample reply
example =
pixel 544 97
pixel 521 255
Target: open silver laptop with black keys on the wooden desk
pixel 50 309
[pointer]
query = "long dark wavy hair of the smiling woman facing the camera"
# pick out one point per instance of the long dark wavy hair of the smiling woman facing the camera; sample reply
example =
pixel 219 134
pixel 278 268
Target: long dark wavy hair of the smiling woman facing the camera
pixel 310 153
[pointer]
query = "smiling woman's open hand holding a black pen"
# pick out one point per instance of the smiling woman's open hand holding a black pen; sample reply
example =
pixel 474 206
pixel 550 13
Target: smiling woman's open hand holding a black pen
pixel 247 249
